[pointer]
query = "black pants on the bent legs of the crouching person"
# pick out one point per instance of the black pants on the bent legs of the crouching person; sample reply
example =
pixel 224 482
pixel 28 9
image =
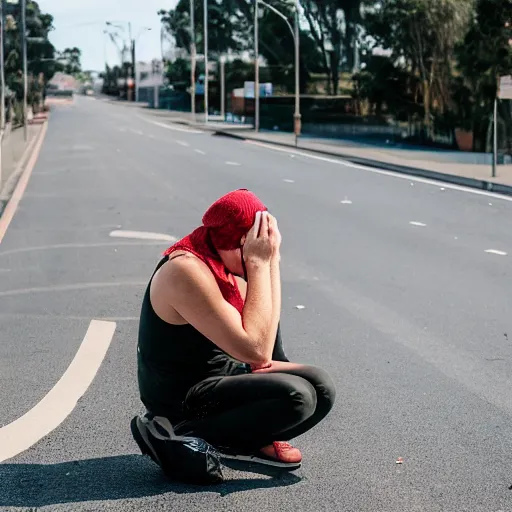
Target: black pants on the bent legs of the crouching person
pixel 248 412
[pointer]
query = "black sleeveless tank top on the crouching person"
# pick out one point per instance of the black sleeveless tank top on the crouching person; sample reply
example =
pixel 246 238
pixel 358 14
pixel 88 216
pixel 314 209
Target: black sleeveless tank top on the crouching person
pixel 171 359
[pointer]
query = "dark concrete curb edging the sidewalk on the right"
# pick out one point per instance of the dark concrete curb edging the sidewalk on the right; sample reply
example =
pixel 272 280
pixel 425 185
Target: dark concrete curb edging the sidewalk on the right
pixel 489 186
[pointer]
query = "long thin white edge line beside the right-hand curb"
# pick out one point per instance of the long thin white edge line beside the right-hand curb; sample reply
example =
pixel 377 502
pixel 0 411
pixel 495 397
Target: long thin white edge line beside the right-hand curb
pixel 345 163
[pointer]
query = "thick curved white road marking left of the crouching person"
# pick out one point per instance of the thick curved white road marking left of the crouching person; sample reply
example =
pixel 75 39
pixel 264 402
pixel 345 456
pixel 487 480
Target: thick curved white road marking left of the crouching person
pixel 57 405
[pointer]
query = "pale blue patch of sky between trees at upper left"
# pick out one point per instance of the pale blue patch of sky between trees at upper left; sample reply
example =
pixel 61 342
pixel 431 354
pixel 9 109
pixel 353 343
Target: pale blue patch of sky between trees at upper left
pixel 81 24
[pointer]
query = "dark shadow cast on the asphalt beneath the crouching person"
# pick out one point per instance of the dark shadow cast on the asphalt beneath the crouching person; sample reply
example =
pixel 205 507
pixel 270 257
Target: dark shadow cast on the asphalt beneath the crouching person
pixel 109 478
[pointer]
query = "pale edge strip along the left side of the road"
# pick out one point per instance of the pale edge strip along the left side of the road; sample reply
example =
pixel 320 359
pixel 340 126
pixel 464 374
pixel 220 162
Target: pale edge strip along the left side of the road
pixel 27 163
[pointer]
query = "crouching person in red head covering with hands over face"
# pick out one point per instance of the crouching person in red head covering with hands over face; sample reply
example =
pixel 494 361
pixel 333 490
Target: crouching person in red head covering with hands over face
pixel 210 354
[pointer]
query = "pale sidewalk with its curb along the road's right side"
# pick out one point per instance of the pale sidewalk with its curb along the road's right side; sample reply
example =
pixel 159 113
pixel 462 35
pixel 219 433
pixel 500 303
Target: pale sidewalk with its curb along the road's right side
pixel 426 164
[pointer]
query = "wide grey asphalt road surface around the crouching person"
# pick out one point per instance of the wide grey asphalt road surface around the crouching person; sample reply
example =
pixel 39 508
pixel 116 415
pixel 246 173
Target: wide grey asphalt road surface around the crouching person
pixel 413 321
